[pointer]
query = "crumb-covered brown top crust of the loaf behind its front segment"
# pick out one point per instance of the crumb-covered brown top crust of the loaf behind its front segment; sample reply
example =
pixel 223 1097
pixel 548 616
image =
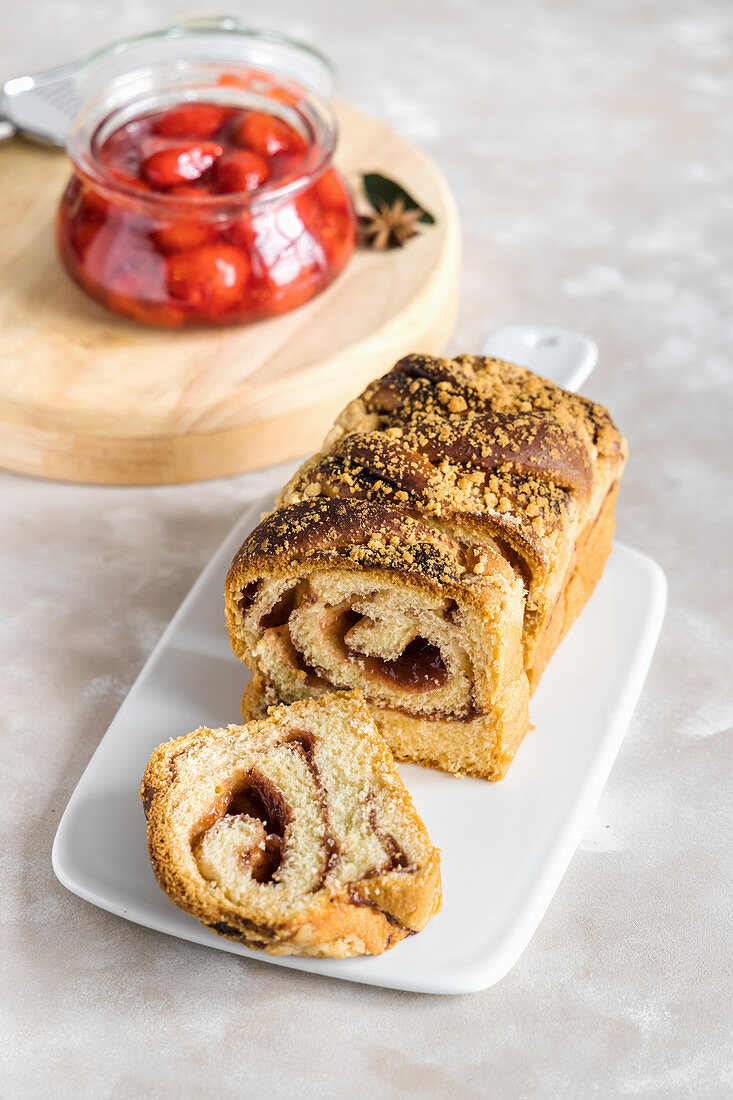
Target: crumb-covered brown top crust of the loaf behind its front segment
pixel 468 438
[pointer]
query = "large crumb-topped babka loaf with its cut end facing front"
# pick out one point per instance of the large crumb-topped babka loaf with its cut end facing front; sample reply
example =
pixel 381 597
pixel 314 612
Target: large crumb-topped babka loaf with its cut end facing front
pixel 433 555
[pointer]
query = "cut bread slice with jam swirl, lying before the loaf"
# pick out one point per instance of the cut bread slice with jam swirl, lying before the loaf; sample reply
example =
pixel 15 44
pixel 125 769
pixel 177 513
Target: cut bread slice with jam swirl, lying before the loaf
pixel 294 835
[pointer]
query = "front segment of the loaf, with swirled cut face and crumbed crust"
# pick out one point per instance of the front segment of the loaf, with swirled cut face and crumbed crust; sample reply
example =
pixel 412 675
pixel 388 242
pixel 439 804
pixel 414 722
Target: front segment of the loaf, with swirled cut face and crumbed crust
pixel 355 595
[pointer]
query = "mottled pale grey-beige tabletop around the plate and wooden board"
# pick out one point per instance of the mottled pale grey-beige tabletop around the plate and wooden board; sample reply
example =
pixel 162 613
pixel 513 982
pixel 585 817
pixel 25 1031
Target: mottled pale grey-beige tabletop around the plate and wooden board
pixel 589 147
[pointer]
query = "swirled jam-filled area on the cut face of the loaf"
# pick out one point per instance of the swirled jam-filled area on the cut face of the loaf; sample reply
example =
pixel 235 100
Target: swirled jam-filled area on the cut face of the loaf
pixel 403 650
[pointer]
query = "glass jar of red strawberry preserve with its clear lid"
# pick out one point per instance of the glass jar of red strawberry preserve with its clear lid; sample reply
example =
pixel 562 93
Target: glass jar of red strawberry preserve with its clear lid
pixel 203 190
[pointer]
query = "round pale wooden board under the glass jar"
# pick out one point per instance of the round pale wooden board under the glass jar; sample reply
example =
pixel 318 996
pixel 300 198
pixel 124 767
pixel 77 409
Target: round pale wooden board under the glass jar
pixel 87 397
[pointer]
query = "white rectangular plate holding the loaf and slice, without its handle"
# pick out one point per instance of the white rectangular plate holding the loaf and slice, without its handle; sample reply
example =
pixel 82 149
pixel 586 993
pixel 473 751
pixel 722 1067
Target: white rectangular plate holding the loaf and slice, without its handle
pixel 506 846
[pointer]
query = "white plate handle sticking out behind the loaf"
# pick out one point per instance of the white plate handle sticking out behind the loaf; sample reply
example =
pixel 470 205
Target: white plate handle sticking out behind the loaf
pixel 565 357
